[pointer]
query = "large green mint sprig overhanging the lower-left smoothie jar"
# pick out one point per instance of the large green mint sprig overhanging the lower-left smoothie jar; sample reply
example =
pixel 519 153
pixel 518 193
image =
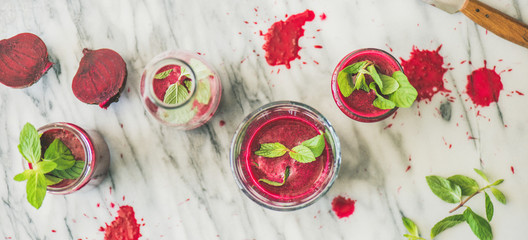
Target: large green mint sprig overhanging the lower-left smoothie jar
pixel 57 157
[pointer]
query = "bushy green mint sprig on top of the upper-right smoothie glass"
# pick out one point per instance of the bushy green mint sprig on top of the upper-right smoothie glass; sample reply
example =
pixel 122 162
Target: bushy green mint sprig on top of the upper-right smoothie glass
pixel 399 92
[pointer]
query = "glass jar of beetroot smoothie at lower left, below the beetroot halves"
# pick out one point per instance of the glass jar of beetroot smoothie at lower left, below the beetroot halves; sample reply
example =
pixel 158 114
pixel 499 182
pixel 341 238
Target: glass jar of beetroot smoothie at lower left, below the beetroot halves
pixel 87 146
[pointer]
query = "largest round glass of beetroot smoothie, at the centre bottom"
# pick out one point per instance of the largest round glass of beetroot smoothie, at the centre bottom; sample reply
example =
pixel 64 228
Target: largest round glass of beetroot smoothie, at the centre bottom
pixel 290 124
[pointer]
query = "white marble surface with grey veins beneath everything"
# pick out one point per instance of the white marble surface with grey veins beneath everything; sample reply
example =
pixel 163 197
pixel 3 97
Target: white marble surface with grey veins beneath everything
pixel 179 183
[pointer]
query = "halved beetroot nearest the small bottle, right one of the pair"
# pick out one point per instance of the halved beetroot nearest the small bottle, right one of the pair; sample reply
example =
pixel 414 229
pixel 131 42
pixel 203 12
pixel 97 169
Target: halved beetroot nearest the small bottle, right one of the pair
pixel 101 77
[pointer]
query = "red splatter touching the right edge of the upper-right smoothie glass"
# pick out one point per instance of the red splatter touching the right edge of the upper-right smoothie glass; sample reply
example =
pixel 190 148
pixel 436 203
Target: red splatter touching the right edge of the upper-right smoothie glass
pixel 425 72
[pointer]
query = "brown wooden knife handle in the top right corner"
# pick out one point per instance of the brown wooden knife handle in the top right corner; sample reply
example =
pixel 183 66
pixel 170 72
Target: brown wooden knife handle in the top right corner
pixel 499 23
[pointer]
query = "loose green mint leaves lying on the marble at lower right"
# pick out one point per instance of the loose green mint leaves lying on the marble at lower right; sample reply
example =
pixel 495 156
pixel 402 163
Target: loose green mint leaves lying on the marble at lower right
pixel 454 188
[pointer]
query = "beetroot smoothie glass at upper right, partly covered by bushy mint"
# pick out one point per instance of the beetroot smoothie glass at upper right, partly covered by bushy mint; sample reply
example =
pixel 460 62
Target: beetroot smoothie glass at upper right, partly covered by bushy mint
pixel 358 105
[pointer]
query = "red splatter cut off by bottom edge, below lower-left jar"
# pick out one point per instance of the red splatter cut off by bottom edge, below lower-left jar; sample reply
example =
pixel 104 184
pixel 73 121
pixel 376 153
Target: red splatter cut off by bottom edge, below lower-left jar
pixel 124 227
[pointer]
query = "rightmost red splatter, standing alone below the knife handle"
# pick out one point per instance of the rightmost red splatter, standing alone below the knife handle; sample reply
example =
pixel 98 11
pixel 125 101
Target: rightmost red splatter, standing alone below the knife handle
pixel 484 86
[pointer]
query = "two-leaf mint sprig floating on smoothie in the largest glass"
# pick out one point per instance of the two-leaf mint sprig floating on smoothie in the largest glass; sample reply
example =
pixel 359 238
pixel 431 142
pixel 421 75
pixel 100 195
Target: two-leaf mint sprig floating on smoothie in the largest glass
pixel 306 152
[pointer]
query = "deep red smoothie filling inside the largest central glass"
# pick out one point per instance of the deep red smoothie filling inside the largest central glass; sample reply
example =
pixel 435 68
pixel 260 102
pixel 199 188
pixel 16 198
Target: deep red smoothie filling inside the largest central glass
pixel 305 178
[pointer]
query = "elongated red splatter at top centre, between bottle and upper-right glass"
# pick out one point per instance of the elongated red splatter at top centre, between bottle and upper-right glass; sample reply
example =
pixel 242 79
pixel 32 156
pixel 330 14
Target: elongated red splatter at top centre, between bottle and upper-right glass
pixel 282 39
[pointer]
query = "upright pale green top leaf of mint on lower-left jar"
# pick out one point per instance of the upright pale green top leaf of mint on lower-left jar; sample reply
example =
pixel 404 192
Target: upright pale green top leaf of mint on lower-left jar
pixel 29 145
